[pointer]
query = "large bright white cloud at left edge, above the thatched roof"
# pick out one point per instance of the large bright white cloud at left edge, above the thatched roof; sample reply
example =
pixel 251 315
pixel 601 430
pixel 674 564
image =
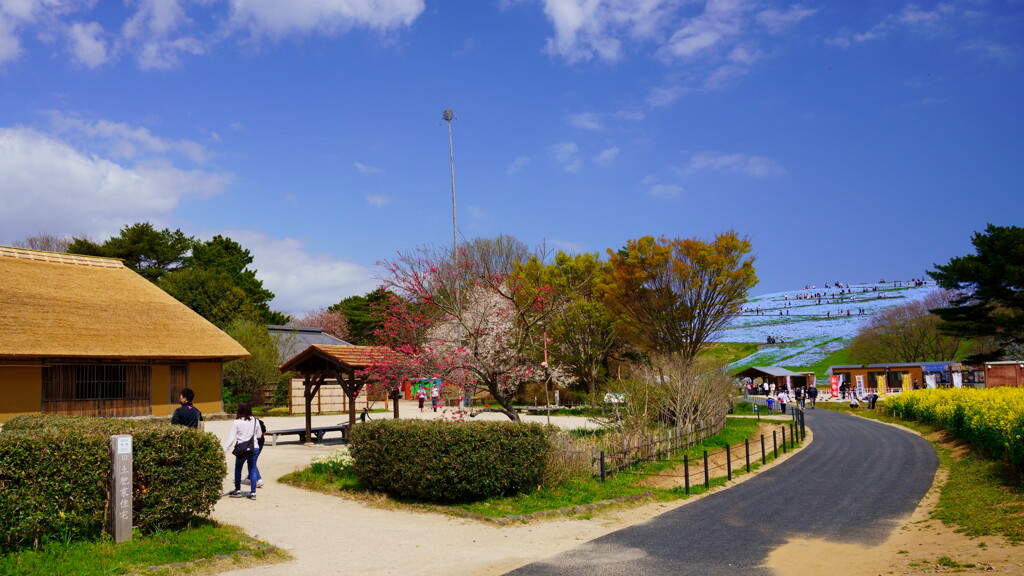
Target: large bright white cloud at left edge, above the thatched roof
pixel 49 186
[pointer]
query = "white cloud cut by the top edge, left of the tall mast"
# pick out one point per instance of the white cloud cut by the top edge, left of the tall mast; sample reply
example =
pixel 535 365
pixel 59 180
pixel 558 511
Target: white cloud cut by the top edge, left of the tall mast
pixel 277 19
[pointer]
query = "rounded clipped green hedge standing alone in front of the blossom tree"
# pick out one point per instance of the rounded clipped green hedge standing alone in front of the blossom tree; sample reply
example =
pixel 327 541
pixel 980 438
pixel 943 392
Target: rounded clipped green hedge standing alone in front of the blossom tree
pixel 442 462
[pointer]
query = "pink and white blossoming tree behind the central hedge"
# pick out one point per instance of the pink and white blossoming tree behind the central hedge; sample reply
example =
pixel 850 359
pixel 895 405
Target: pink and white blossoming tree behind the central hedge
pixel 478 322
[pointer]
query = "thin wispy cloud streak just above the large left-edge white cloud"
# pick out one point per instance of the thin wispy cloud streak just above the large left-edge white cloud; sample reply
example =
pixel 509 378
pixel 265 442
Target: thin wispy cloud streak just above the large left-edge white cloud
pixel 125 142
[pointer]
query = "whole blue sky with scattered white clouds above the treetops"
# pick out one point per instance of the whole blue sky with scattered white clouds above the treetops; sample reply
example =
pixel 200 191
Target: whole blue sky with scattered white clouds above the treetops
pixel 850 141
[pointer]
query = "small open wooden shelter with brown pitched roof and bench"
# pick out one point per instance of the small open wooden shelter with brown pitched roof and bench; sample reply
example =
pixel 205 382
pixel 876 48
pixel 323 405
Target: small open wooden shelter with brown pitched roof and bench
pixel 318 364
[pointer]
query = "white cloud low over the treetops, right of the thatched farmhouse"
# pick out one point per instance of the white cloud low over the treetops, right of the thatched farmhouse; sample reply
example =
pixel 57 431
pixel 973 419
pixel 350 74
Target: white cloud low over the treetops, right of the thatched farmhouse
pixel 303 281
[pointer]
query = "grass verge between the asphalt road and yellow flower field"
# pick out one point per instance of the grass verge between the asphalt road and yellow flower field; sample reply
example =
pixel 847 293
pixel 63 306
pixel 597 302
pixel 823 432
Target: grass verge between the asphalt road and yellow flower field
pixel 980 498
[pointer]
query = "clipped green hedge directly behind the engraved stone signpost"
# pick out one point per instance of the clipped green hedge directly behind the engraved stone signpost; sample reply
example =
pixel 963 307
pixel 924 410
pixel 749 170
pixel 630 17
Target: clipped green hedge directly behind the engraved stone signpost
pixel 55 477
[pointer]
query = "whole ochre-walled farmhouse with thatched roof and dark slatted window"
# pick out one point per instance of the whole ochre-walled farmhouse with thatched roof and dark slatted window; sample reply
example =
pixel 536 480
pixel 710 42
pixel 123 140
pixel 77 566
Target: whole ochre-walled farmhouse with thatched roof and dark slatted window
pixel 89 336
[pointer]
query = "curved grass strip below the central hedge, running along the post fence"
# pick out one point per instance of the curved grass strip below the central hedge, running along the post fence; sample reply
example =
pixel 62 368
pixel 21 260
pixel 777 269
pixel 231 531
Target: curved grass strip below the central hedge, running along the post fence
pixel 576 492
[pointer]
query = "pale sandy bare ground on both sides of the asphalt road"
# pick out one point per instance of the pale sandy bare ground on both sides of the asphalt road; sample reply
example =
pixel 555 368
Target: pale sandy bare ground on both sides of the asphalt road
pixel 333 536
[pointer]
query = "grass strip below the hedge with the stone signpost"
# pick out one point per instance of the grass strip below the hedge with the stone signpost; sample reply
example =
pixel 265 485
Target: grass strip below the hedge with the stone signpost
pixel 191 551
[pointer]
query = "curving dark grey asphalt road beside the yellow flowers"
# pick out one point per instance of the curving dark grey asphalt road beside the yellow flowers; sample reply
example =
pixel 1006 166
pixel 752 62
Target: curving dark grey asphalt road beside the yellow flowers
pixel 851 485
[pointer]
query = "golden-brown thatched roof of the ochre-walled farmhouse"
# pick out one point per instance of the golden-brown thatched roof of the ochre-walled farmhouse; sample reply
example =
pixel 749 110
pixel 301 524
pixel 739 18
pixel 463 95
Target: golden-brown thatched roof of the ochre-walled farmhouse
pixel 66 306
